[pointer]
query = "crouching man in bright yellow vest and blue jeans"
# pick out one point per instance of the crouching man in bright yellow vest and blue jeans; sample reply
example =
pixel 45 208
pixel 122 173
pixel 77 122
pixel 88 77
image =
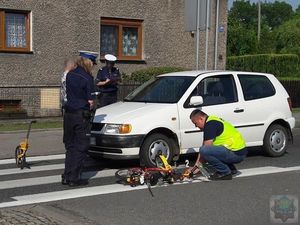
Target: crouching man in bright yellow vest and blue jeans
pixel 223 145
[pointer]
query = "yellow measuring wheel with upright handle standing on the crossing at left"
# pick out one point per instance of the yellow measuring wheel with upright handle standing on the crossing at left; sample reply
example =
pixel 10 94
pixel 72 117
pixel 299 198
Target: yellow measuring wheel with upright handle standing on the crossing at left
pixel 21 149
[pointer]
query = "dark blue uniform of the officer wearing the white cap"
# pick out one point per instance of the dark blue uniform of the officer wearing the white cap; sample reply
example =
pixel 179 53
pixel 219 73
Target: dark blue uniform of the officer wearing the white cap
pixel 108 91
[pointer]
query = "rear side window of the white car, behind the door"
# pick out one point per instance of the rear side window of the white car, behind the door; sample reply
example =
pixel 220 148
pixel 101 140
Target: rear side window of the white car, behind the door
pixel 256 86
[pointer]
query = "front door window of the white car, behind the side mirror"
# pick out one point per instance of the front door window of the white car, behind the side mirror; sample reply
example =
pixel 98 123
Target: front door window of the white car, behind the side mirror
pixel 215 90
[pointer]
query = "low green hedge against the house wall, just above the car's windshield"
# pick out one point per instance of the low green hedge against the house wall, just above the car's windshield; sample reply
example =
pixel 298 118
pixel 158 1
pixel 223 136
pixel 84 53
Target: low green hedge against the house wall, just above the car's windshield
pixel 146 74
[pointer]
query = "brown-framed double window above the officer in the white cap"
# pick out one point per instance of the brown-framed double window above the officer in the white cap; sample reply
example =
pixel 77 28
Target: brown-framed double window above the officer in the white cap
pixel 122 38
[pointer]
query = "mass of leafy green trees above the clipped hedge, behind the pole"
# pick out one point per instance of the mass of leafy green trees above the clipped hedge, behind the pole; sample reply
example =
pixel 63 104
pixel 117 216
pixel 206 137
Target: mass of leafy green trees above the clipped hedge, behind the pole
pixel 242 28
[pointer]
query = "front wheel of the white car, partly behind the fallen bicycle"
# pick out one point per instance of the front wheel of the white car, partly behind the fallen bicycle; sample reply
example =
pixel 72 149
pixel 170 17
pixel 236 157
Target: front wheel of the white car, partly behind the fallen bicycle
pixel 156 144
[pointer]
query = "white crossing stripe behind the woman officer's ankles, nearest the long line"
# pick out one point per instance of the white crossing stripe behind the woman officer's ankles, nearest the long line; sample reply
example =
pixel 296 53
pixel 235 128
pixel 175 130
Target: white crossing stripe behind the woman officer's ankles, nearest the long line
pixel 52 179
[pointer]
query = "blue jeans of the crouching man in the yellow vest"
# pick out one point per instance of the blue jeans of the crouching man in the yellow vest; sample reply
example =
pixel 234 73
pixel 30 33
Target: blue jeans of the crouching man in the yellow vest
pixel 220 157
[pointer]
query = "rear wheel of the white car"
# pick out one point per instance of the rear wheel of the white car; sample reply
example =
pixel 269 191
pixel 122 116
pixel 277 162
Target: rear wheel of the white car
pixel 275 140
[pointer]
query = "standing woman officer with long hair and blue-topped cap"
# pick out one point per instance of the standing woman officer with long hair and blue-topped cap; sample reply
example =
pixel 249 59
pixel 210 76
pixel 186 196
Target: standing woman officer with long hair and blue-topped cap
pixel 79 86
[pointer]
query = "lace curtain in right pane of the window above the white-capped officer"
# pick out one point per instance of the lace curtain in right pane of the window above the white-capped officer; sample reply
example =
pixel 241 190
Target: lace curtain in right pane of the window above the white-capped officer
pixel 130 41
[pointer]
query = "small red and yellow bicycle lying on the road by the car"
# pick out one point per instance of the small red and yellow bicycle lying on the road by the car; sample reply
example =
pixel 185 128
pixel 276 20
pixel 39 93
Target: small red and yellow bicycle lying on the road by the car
pixel 164 172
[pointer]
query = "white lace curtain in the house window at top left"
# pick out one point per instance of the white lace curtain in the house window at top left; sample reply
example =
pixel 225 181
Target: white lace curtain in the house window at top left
pixel 15 30
